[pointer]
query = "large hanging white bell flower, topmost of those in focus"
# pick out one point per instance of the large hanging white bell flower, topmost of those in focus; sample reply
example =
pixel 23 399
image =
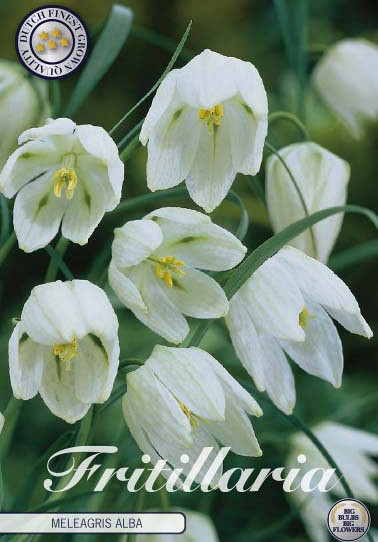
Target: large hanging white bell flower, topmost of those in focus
pixel 207 122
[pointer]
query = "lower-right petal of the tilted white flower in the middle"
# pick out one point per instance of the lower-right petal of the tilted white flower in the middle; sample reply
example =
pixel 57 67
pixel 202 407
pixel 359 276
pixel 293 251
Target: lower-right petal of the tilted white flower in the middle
pixel 198 295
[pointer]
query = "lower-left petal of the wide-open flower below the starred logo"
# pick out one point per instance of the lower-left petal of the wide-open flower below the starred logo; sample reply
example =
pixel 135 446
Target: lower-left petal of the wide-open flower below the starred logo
pixel 37 214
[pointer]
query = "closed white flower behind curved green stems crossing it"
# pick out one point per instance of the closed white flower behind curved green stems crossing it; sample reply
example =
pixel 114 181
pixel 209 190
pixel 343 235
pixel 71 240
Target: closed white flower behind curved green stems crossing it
pixel 322 178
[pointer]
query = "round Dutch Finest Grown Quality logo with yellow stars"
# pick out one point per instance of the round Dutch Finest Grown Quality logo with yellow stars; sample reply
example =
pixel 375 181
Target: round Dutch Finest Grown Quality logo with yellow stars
pixel 52 42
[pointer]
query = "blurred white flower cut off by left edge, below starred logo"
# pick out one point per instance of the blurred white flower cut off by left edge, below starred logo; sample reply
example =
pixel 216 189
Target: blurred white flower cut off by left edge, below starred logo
pixel 23 103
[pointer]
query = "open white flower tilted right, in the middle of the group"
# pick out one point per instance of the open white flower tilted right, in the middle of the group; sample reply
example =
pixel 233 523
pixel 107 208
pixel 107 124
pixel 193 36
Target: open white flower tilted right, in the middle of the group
pixel 154 268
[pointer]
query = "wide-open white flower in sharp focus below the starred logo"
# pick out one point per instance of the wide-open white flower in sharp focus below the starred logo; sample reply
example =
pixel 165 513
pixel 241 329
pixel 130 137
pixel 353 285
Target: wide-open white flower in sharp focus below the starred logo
pixel 62 173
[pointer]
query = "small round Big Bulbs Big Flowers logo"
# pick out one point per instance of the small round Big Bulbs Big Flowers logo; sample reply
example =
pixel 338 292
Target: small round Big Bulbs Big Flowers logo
pixel 348 520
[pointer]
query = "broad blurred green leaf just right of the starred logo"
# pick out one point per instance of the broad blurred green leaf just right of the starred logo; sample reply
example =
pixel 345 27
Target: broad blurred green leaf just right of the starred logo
pixel 106 50
